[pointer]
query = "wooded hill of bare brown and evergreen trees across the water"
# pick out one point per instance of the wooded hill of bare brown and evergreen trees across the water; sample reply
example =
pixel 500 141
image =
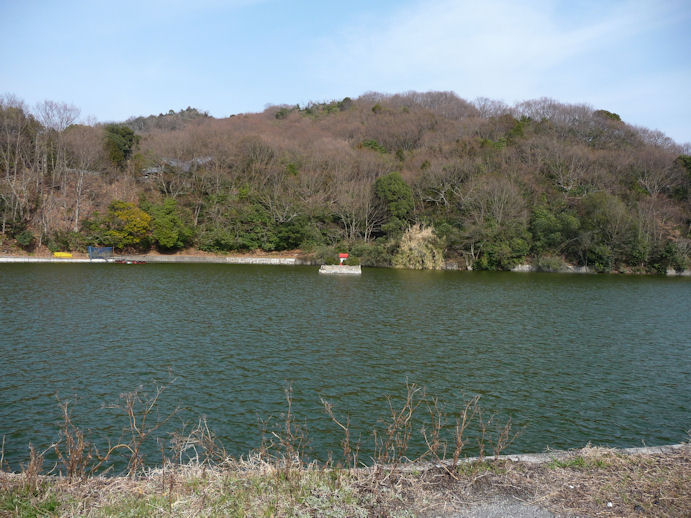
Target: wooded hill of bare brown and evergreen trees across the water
pixel 407 180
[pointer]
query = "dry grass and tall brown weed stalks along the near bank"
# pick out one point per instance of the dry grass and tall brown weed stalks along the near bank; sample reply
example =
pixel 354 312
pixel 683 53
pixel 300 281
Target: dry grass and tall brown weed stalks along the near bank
pixel 198 478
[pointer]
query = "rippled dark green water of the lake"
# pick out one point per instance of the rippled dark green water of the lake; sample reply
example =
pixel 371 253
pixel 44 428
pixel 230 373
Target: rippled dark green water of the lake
pixel 570 358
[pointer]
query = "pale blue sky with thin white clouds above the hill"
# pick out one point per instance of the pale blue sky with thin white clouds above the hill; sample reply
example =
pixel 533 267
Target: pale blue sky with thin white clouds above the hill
pixel 114 60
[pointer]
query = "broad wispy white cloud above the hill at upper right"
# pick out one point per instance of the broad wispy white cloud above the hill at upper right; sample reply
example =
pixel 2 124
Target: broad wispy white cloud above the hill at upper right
pixel 503 49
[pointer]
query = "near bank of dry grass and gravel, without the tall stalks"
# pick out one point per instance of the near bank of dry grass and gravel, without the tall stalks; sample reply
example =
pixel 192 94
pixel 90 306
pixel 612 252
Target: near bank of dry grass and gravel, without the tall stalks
pixel 589 482
